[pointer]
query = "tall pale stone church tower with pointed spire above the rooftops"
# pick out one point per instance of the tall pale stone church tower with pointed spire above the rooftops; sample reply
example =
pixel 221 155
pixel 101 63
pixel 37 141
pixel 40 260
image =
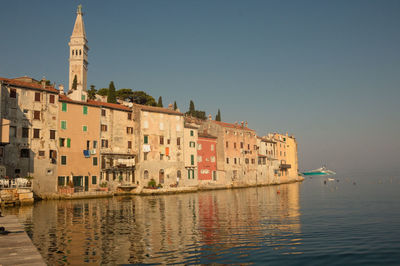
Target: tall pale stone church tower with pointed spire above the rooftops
pixel 78 63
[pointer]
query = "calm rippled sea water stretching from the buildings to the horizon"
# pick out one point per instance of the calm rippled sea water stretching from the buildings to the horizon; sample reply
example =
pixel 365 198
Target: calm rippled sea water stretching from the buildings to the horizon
pixel 353 221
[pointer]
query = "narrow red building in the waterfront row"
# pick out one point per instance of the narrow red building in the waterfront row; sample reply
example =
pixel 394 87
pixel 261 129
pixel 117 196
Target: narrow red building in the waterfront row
pixel 207 157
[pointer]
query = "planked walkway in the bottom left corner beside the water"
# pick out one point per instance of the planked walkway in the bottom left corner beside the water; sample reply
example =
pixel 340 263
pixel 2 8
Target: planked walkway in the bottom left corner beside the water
pixel 16 248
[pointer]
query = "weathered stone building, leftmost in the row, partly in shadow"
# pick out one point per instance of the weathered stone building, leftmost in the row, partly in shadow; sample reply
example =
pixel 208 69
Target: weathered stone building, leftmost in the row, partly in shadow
pixel 31 107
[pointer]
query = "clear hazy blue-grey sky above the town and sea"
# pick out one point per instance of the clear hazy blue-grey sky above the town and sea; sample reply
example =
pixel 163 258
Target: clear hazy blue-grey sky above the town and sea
pixel 327 72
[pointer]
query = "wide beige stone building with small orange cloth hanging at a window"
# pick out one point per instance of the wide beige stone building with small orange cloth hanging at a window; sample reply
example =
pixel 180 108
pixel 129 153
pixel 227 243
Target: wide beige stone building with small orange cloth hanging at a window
pixel 159 135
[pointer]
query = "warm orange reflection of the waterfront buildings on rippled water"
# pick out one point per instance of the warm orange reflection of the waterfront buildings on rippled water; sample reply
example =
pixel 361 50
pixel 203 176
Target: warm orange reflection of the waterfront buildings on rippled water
pixel 241 225
